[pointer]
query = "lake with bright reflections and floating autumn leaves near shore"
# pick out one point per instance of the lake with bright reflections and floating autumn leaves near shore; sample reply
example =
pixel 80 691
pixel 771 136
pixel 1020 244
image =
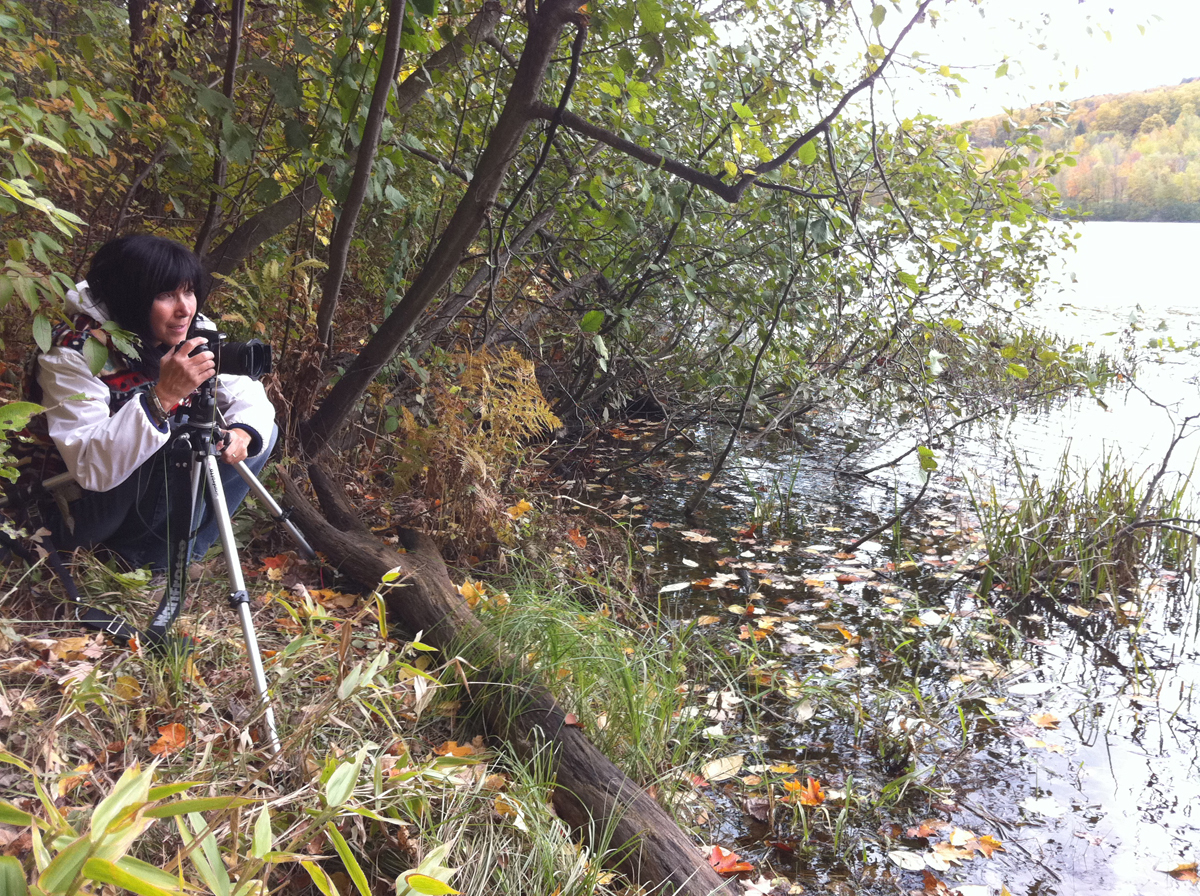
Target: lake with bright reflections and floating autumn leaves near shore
pixel 1072 741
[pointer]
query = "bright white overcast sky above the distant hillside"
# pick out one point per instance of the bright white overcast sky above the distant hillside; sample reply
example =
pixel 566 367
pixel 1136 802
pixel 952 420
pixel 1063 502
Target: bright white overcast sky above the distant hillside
pixel 1046 43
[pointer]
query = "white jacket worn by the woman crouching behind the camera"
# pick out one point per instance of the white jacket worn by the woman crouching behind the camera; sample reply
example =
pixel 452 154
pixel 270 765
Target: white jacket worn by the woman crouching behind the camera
pixel 103 449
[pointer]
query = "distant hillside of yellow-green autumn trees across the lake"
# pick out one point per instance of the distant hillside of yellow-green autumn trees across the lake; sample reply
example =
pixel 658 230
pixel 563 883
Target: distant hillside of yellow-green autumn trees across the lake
pixel 1139 154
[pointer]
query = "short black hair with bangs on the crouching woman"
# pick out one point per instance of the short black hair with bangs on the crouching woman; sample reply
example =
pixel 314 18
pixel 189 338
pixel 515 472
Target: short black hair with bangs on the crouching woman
pixel 129 273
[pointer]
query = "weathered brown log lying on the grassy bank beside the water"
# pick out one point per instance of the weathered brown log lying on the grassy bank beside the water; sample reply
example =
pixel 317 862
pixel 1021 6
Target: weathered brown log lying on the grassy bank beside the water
pixel 591 793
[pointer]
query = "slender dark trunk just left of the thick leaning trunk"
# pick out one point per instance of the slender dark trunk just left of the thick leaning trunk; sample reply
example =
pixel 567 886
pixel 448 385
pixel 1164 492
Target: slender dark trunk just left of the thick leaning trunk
pixel 349 219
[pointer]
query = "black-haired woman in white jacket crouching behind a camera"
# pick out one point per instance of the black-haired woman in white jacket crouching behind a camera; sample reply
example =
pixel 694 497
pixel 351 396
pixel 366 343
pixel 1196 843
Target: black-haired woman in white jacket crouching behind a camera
pixel 113 441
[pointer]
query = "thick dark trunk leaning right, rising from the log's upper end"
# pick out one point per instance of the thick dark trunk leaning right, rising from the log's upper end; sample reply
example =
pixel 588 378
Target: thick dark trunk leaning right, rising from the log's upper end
pixel 545 28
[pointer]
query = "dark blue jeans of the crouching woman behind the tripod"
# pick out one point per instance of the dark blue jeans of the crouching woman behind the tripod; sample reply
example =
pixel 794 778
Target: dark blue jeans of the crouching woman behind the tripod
pixel 133 520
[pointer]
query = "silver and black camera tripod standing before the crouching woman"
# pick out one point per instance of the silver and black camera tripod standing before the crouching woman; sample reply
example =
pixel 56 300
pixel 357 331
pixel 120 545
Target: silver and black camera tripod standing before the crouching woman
pixel 193 470
